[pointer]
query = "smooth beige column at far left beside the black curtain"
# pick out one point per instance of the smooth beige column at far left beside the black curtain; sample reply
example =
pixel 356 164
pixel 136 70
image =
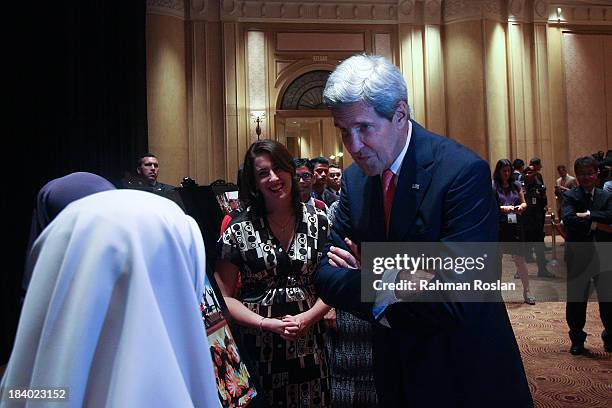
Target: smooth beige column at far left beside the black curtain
pixel 167 96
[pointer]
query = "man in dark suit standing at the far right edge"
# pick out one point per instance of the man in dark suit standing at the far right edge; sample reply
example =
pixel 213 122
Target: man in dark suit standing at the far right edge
pixel 587 215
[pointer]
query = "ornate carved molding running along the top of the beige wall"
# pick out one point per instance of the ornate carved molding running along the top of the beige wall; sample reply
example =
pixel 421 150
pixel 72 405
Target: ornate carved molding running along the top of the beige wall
pixel 575 12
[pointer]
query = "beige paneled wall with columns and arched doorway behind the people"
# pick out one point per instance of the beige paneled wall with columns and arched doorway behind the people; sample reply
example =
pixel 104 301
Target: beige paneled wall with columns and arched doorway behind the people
pixel 507 79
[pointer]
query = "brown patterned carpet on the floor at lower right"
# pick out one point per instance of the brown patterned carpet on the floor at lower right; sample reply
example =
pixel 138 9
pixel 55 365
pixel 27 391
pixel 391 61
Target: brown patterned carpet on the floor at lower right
pixel 556 378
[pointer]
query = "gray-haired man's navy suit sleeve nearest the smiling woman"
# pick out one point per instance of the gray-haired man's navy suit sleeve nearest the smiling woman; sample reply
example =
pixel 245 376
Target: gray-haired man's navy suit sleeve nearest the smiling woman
pixel 341 287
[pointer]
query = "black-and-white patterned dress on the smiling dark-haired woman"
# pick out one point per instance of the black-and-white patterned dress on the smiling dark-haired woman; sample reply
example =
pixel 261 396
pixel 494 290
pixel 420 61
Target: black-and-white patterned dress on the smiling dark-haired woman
pixel 276 283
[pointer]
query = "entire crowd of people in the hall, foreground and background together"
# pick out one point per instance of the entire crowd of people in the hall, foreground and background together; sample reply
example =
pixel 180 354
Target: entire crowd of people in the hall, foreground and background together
pixel 289 271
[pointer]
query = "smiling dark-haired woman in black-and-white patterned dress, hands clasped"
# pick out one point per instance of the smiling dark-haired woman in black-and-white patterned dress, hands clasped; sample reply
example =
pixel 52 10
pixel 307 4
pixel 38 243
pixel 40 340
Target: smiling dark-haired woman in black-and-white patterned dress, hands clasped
pixel 275 245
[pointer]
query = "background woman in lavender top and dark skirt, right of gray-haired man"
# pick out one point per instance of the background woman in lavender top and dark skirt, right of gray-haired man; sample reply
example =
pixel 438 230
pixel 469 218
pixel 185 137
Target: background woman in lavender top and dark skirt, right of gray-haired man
pixel 511 202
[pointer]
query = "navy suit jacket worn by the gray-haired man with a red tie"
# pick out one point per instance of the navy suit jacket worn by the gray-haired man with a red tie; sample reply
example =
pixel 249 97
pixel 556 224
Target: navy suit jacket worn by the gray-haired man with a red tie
pixel 436 354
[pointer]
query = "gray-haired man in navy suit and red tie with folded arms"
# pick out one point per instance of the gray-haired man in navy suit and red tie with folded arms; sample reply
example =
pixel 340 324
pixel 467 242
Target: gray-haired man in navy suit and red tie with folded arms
pixel 409 185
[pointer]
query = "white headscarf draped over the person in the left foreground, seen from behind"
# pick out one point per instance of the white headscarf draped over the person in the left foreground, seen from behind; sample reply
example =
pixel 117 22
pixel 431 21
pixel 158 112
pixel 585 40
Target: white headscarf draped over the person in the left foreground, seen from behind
pixel 112 311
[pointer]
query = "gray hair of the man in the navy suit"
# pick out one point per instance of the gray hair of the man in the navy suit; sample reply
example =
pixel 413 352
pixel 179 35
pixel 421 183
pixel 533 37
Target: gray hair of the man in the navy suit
pixel 367 78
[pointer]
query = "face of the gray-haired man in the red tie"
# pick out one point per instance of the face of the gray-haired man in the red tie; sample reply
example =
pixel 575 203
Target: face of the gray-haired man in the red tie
pixel 373 141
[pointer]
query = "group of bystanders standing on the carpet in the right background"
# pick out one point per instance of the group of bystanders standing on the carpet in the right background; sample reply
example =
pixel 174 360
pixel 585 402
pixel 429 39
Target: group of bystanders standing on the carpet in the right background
pixel 585 217
